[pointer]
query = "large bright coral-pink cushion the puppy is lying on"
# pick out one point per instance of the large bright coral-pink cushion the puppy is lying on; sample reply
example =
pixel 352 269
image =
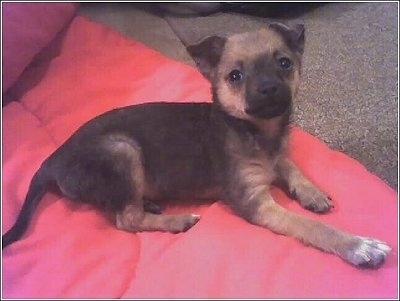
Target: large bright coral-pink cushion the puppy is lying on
pixel 73 251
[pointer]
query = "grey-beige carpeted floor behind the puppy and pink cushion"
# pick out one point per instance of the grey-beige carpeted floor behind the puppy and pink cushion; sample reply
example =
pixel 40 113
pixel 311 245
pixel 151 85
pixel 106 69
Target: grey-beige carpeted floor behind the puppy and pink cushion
pixel 349 92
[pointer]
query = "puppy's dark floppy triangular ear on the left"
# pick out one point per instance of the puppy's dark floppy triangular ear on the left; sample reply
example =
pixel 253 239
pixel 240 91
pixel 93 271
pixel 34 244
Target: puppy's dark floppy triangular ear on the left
pixel 207 54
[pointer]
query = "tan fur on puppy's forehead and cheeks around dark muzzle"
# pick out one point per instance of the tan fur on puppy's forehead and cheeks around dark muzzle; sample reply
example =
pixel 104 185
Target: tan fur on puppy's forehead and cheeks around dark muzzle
pixel 240 50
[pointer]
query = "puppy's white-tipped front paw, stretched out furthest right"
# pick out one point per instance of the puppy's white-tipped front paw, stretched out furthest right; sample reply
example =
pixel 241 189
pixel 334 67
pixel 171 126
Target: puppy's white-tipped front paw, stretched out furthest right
pixel 366 252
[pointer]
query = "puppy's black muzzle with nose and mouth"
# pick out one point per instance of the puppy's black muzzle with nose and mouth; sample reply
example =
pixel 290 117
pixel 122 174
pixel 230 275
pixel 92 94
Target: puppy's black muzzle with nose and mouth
pixel 270 99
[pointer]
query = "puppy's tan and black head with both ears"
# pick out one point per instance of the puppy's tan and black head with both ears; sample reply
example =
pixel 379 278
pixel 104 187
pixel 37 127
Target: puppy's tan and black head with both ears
pixel 253 75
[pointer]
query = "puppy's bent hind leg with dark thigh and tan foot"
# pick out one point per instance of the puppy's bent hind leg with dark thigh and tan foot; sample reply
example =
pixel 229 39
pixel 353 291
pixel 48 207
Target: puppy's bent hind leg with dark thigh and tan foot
pixel 110 174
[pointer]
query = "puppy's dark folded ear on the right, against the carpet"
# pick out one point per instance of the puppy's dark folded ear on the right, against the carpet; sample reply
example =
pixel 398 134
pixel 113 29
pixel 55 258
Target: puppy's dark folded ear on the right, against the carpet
pixel 294 35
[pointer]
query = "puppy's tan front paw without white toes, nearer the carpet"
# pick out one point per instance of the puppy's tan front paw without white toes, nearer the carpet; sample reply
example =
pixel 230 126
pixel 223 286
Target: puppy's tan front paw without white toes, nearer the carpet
pixel 311 198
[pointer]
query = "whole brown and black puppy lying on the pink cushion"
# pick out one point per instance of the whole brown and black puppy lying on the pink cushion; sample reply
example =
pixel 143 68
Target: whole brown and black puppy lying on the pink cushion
pixel 232 149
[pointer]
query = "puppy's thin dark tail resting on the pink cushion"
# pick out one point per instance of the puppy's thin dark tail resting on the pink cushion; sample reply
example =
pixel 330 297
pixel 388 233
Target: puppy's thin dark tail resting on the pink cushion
pixel 37 189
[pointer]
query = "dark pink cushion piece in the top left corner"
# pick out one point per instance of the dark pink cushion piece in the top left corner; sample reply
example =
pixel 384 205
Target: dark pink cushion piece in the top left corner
pixel 27 29
